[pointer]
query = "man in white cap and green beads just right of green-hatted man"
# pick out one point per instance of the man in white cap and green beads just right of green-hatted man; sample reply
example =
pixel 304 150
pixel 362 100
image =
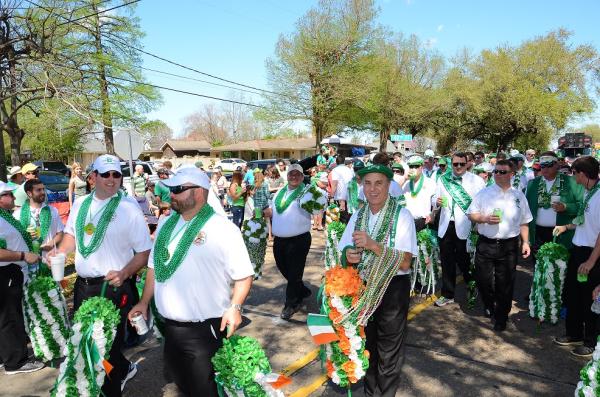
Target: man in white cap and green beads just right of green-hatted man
pixel 418 191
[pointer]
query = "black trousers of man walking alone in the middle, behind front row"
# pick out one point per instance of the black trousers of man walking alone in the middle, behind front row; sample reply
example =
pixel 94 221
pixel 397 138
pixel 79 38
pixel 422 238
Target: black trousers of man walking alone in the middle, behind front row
pixel 290 256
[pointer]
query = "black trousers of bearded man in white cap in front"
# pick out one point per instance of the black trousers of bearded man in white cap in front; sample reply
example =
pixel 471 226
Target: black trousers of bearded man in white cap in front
pixel 189 348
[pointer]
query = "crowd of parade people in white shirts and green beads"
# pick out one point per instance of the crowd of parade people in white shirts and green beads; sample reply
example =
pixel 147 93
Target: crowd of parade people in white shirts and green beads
pixel 199 272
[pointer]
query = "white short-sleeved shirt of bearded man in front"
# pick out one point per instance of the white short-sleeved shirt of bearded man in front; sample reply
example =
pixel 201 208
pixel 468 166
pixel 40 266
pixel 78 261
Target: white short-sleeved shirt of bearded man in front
pixel 200 288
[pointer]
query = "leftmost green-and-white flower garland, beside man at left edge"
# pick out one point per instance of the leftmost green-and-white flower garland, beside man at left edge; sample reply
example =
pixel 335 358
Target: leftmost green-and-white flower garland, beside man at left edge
pixel 45 312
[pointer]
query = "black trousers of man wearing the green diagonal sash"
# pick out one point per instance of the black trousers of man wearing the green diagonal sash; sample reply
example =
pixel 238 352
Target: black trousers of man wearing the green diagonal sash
pixel 453 252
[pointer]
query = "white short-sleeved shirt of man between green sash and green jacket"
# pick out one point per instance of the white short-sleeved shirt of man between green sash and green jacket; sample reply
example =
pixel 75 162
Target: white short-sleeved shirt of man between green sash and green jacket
pixel 514 207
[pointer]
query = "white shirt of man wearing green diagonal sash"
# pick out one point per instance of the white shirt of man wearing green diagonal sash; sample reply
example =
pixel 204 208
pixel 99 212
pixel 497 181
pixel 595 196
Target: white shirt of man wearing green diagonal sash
pixel 472 184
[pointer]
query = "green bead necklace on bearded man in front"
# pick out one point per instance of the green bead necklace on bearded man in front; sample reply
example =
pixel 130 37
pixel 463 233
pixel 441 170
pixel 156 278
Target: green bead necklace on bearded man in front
pixel 166 265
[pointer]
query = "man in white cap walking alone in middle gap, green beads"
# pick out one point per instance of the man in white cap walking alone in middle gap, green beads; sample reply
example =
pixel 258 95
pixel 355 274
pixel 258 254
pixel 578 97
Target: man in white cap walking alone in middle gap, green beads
pixel 291 227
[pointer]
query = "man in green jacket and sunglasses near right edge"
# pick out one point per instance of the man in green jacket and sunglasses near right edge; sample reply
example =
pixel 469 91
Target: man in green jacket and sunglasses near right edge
pixel 554 199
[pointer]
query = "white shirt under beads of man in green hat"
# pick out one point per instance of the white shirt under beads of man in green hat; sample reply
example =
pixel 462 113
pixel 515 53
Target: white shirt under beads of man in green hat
pixel 406 236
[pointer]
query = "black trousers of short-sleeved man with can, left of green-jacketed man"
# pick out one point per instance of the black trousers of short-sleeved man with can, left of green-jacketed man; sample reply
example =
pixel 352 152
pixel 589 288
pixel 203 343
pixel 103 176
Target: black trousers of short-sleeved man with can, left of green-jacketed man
pixel 495 271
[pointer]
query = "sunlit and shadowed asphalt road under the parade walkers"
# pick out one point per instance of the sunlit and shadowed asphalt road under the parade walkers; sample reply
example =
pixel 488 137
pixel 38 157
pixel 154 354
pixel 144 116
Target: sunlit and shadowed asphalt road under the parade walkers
pixel 450 351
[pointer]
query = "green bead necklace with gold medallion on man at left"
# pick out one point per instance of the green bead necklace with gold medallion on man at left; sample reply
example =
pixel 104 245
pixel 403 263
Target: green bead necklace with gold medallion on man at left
pixel 99 230
